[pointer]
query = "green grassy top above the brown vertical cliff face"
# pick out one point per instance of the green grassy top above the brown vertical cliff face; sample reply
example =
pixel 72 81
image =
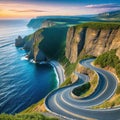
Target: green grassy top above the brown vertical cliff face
pixel 100 25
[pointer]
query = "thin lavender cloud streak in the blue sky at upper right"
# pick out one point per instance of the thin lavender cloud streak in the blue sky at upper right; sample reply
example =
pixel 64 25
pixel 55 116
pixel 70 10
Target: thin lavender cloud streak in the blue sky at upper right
pixel 110 5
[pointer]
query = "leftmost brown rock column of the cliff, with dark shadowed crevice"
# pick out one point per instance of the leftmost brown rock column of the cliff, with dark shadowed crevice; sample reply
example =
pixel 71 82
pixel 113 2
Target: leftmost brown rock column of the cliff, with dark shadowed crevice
pixel 74 43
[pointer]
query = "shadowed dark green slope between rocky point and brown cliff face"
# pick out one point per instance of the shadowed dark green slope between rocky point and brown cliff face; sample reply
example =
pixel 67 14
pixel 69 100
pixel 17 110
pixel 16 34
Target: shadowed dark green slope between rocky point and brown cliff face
pixel 54 41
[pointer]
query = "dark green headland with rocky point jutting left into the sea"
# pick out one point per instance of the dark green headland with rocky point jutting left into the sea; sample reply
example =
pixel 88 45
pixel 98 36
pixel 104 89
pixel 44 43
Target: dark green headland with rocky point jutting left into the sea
pixel 44 44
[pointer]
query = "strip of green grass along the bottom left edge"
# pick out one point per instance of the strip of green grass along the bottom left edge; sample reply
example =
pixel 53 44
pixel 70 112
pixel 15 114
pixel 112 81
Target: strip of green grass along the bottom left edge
pixel 30 116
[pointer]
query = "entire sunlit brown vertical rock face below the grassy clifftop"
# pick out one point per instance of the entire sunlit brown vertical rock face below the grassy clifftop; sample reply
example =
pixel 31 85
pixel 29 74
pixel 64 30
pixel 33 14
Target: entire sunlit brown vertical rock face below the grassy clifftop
pixel 91 41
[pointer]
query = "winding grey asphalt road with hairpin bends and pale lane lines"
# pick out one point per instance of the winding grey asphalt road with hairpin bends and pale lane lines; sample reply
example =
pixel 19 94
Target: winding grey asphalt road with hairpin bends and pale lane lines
pixel 60 101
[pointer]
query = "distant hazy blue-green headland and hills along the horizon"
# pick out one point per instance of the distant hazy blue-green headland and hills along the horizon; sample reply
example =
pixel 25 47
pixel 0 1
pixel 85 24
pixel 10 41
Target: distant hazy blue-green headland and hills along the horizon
pixel 50 21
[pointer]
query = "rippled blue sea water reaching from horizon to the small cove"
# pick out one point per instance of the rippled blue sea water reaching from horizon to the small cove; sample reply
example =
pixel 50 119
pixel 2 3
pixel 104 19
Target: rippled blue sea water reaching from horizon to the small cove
pixel 22 83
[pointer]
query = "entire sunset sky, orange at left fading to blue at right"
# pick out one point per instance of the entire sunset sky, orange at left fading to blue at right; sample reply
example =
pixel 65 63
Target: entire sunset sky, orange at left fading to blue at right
pixel 16 9
